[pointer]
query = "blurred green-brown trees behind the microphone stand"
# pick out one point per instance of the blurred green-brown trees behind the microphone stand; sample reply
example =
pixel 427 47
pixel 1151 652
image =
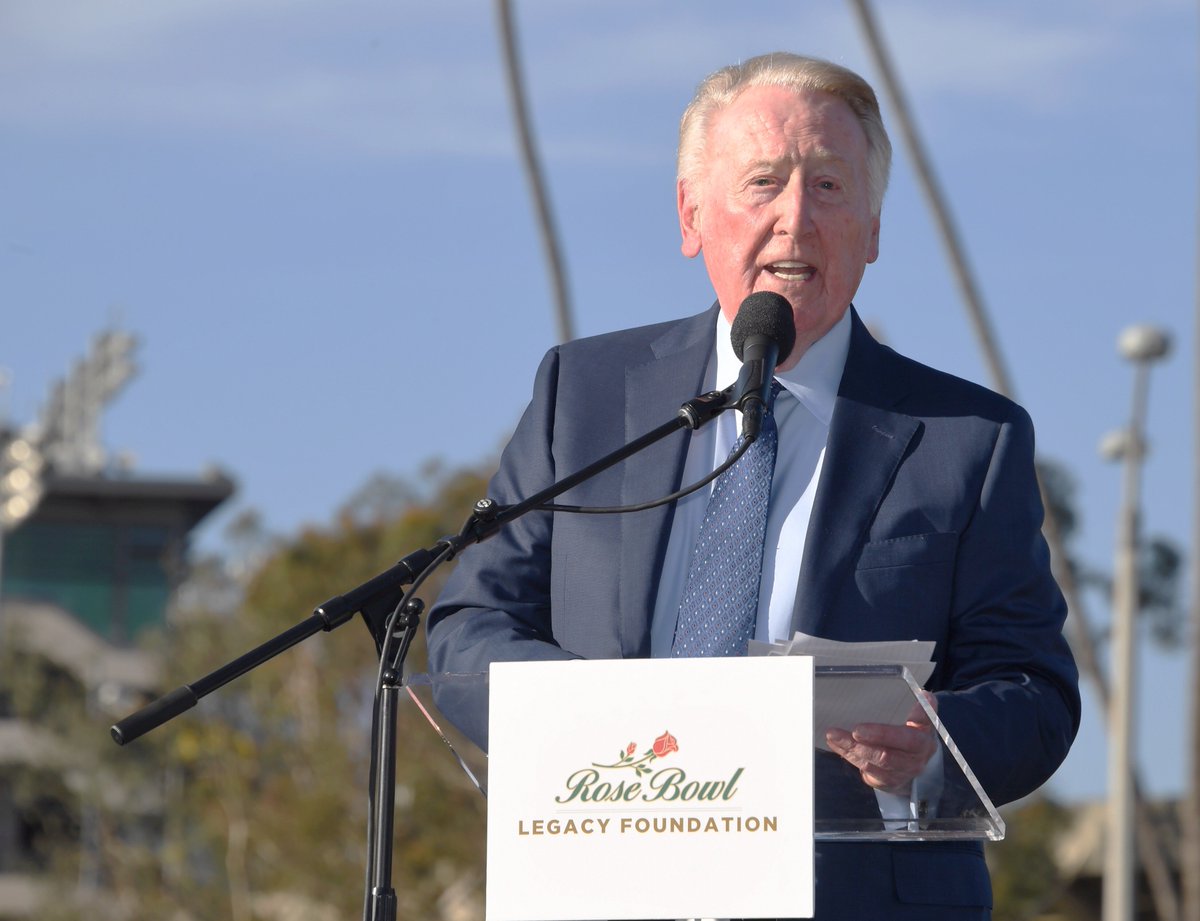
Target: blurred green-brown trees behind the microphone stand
pixel 254 805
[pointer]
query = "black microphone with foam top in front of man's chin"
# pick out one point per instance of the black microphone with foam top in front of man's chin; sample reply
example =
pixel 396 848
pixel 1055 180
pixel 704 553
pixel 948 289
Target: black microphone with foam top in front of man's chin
pixel 764 336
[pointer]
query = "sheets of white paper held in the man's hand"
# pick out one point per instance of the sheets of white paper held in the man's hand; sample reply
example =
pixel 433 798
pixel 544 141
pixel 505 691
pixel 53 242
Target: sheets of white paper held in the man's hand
pixel 844 701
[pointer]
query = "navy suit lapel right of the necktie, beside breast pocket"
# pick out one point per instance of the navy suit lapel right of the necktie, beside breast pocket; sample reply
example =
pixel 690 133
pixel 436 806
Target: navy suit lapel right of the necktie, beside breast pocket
pixel 867 443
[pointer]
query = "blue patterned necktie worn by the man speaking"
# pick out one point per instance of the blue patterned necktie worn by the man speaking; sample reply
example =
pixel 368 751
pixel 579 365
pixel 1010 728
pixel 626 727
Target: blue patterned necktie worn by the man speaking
pixel 719 609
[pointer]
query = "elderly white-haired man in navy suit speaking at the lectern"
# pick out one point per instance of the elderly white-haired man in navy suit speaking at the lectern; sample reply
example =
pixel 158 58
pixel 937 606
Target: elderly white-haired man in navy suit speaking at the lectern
pixel 903 503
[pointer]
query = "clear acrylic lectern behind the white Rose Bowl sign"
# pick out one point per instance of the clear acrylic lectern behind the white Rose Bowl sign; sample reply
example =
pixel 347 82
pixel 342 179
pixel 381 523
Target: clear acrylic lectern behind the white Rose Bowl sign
pixel 946 803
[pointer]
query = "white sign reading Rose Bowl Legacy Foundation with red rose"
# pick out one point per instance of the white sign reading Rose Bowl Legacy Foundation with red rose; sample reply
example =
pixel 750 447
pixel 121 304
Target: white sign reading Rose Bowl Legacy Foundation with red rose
pixel 651 790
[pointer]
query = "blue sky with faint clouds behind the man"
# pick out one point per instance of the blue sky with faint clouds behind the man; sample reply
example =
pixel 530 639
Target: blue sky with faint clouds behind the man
pixel 314 218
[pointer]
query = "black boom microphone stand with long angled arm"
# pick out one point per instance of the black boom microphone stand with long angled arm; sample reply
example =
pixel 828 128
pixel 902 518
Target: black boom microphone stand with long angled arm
pixel 386 593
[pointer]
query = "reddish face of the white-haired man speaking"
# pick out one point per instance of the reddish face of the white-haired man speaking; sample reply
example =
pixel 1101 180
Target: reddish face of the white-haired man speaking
pixel 782 206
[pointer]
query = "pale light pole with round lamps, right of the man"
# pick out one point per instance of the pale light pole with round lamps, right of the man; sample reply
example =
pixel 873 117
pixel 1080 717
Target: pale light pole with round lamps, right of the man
pixel 1143 346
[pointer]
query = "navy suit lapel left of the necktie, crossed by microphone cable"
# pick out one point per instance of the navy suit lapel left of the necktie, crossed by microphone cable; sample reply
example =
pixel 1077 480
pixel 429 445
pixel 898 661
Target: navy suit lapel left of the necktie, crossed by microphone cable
pixel 655 392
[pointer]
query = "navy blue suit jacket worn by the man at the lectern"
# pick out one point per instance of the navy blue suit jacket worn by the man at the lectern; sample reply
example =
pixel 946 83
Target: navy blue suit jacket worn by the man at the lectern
pixel 927 526
